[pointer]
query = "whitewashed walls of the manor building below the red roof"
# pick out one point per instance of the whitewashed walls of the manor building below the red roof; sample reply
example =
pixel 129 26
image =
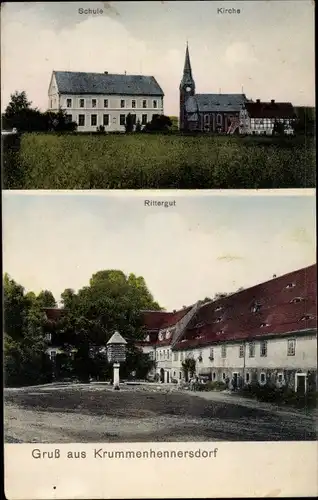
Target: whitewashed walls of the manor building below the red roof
pixel 295 354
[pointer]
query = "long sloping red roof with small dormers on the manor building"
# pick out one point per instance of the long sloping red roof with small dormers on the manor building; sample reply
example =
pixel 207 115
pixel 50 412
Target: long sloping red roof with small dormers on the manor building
pixel 282 305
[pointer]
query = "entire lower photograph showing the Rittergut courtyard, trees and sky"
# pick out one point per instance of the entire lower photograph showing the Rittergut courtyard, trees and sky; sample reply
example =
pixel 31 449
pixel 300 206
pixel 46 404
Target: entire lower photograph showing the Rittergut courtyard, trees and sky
pixel 155 317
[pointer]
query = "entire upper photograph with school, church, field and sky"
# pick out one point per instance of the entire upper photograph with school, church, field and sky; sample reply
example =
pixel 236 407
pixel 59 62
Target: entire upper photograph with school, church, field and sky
pixel 158 95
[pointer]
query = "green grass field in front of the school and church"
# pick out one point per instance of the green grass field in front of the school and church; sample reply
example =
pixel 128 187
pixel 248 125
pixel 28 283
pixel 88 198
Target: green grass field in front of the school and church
pixel 48 161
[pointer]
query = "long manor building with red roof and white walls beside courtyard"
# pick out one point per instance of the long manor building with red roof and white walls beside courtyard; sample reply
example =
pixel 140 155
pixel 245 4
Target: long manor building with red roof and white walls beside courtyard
pixel 265 333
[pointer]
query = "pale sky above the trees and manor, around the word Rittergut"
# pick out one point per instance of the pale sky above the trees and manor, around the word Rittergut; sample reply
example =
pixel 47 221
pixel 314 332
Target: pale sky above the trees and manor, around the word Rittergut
pixel 207 243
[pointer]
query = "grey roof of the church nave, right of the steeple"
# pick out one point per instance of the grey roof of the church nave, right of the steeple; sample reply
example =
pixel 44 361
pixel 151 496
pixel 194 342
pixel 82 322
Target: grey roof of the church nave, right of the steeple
pixel 215 102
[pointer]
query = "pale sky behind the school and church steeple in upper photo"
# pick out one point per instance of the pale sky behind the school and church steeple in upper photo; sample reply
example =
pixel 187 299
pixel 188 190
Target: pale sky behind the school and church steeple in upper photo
pixel 268 48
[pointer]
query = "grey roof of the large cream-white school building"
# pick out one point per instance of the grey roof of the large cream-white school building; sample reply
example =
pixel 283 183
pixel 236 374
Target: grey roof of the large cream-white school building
pixel 70 82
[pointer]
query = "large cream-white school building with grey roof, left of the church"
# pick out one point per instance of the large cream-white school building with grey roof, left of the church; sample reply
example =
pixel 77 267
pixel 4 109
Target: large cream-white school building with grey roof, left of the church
pixel 103 99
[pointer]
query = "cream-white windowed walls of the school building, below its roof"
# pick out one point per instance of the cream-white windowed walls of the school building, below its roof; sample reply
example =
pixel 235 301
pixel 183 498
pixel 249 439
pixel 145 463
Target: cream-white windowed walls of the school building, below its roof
pixel 95 110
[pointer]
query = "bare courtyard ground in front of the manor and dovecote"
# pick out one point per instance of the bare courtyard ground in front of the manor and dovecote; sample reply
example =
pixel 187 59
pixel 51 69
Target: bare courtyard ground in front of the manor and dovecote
pixel 95 413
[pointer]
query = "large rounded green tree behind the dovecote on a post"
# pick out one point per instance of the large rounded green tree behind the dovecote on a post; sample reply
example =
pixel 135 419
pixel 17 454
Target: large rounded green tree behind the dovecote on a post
pixel 112 301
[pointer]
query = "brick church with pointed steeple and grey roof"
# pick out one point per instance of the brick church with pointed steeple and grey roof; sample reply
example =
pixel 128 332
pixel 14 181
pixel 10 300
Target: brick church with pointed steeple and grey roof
pixel 218 113
